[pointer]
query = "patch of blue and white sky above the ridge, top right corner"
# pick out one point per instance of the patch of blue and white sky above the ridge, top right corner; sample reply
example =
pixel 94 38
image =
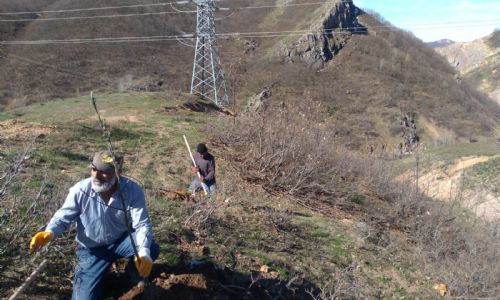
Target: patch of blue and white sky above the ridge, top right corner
pixel 431 20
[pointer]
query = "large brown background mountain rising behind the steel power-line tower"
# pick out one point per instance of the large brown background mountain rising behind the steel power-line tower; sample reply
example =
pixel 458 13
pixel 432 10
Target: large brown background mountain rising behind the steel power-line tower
pixel 368 79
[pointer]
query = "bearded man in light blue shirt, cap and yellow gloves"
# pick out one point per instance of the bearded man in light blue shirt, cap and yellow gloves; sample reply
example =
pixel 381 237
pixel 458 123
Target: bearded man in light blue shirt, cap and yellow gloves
pixel 100 205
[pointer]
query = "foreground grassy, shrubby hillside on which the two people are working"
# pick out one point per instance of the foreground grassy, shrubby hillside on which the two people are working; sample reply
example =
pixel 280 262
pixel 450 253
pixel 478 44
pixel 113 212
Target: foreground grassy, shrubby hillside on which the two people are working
pixel 357 236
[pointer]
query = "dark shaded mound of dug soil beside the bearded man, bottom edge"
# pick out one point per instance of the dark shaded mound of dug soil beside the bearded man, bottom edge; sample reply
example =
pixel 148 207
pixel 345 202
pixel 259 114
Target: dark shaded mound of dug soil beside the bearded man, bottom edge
pixel 205 280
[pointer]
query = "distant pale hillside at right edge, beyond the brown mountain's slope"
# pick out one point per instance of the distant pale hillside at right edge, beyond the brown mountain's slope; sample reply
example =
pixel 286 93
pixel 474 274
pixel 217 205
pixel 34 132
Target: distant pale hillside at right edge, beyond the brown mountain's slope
pixel 478 62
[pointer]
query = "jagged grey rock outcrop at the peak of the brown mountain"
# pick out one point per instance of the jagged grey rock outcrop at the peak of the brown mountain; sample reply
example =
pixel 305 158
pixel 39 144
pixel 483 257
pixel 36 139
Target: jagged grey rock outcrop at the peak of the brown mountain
pixel 326 37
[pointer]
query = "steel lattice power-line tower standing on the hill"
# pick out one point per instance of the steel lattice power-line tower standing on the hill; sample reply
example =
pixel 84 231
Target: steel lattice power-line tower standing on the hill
pixel 208 76
